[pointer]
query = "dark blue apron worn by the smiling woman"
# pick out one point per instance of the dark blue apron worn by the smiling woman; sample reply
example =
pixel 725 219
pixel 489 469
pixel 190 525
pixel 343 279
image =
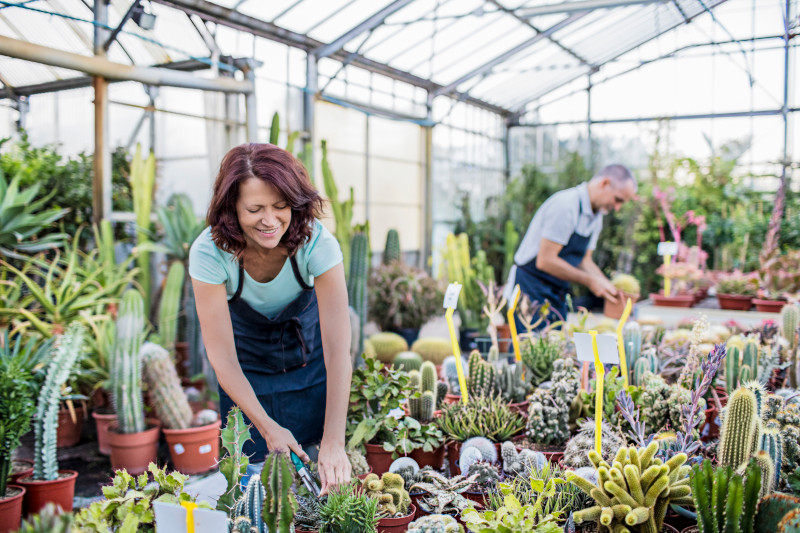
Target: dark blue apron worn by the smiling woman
pixel 282 359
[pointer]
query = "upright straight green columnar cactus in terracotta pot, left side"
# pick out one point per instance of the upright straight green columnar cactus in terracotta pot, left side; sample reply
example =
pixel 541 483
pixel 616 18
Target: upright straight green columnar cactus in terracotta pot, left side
pixel 134 445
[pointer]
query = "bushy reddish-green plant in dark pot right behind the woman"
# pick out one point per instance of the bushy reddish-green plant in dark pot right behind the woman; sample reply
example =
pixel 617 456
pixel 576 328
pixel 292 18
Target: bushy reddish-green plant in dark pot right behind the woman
pixel 402 298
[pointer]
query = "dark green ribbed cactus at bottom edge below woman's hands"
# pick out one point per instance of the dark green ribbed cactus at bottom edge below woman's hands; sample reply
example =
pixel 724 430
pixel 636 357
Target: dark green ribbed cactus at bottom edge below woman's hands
pixel 279 501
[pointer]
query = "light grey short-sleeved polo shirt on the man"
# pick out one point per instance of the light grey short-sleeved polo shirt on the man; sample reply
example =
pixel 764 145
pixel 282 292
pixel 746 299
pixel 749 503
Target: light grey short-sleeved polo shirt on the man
pixel 566 212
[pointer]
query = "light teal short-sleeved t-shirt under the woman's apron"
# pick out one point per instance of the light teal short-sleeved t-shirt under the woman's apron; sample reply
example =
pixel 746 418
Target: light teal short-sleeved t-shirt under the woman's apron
pixel 209 264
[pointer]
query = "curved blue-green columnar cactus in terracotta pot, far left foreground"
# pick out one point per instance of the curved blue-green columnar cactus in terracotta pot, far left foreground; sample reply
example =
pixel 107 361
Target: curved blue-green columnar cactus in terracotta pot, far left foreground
pixel 48 483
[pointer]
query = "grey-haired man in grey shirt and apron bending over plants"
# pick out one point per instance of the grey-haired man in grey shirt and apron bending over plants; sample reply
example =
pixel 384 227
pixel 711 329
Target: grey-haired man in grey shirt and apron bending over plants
pixel 557 248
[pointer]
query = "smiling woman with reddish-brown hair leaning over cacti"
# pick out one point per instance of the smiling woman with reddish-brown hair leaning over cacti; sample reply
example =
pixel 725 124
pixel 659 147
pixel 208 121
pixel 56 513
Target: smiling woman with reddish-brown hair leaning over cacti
pixel 272 302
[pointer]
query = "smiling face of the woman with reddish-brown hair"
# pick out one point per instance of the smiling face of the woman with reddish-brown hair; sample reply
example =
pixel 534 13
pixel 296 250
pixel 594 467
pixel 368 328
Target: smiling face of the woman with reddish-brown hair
pixel 264 214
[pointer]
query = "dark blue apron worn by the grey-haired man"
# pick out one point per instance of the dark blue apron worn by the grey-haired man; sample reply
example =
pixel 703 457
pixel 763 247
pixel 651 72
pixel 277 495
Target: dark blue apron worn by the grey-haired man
pixel 541 286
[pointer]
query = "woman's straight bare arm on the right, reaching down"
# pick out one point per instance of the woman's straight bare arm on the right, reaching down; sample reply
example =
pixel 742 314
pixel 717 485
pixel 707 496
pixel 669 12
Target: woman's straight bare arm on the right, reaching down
pixel 334 318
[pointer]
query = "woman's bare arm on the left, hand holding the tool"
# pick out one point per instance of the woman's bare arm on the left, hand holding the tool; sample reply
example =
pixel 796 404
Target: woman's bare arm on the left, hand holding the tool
pixel 217 330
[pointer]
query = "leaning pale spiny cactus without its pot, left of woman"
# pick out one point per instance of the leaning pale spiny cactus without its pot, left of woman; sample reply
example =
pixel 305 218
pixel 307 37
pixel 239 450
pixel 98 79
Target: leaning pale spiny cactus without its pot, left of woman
pixel 169 399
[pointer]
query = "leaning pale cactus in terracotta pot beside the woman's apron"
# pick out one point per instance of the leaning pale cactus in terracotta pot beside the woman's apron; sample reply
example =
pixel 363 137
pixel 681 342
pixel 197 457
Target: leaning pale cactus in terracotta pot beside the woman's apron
pixel 193 440
